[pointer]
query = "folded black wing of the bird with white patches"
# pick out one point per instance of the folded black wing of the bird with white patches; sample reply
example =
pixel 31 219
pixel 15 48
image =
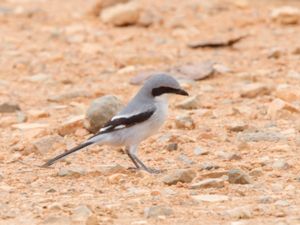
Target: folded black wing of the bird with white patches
pixel 125 122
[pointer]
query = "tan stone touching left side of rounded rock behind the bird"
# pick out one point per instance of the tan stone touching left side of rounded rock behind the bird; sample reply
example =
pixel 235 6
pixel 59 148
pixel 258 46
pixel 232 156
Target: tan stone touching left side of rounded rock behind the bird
pixel 70 125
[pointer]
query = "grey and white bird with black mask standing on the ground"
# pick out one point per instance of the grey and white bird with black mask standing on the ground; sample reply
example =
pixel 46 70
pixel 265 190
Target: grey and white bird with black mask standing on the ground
pixel 141 118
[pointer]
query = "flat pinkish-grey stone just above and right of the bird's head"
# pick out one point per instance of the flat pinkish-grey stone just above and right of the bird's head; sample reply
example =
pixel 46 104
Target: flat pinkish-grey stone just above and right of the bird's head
pixel 196 71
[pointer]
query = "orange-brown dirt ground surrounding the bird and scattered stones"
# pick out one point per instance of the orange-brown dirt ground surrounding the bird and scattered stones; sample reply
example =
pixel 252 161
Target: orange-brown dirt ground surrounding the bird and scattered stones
pixel 80 53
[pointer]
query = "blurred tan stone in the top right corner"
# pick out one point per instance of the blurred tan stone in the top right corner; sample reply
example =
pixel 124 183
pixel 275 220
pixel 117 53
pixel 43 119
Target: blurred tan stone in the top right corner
pixel 286 15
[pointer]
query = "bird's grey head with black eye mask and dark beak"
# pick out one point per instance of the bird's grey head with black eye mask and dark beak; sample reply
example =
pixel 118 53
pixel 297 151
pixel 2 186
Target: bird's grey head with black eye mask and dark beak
pixel 161 84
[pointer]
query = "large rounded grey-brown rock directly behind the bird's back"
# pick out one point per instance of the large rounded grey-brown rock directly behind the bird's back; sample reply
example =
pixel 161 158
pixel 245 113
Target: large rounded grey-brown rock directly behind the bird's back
pixel 100 111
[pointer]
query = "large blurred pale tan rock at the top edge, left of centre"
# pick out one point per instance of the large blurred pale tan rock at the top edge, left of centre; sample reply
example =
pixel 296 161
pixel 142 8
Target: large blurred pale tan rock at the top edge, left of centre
pixel 121 14
